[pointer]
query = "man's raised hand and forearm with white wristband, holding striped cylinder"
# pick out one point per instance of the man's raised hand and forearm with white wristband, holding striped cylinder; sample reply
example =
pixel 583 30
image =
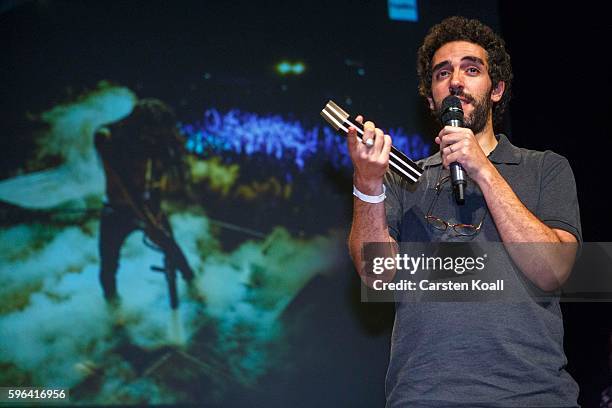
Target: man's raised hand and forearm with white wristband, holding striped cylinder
pixel 369 220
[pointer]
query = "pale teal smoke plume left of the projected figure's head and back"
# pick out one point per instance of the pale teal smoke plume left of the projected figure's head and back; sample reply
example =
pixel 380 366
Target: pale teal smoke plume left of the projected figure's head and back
pixel 70 137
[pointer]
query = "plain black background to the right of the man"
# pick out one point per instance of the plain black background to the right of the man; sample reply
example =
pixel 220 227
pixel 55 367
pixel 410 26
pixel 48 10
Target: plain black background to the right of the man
pixel 560 102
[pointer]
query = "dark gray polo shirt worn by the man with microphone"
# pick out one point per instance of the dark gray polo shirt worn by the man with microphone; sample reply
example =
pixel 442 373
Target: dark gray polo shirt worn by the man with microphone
pixel 472 354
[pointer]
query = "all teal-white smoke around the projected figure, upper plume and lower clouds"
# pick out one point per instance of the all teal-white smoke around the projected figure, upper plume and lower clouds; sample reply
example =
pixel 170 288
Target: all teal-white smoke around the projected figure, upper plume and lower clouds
pixel 56 329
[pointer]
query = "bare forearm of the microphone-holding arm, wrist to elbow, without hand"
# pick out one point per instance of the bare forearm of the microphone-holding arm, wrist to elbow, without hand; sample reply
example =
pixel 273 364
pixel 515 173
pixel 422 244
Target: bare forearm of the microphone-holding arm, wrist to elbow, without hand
pixel 547 263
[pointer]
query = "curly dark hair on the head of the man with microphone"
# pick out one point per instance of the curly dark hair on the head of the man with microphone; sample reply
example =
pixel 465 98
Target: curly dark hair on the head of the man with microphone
pixel 462 29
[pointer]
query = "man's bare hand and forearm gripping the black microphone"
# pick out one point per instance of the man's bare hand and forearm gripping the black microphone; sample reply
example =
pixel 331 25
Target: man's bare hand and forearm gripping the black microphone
pixel 548 263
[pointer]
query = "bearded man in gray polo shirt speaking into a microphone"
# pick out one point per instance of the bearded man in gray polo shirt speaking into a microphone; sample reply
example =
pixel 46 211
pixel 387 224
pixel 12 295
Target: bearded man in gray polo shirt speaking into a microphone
pixel 468 353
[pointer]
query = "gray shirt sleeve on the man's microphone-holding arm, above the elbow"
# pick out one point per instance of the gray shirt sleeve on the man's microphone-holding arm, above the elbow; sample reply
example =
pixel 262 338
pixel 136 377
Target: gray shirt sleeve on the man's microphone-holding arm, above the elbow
pixel 558 201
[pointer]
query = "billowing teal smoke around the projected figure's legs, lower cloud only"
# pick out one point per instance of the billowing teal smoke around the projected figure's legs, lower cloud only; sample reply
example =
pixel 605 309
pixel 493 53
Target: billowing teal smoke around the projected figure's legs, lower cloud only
pixel 65 331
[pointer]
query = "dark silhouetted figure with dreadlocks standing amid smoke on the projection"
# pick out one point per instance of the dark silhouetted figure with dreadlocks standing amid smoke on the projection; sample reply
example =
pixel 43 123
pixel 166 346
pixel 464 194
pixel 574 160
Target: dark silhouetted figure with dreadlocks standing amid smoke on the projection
pixel 138 152
